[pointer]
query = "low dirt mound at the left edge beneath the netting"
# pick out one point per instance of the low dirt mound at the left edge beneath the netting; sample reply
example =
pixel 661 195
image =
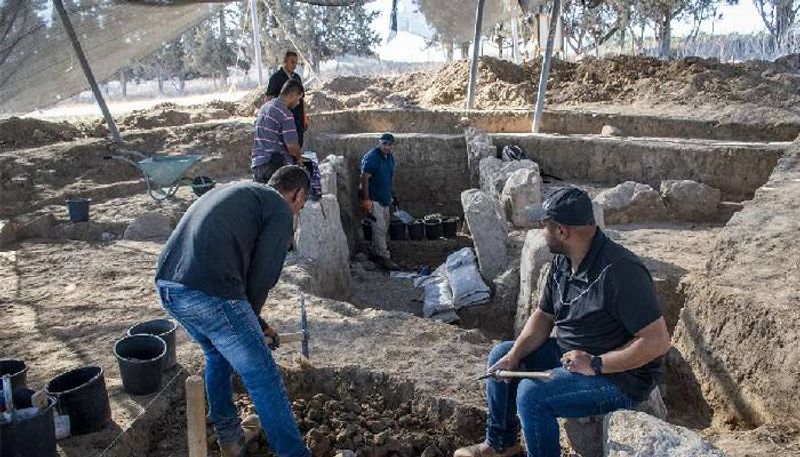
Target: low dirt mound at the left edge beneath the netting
pixel 18 132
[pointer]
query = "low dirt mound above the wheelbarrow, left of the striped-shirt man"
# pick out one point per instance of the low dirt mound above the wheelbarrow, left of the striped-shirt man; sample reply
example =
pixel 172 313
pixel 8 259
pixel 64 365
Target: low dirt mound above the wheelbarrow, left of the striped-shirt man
pixel 170 114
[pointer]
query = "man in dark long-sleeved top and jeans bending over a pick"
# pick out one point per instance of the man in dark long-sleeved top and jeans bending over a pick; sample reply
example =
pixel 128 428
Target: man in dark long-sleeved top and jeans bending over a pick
pixel 213 277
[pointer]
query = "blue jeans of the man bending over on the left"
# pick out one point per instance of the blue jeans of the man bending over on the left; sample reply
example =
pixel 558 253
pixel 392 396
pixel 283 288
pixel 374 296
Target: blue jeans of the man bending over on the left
pixel 232 340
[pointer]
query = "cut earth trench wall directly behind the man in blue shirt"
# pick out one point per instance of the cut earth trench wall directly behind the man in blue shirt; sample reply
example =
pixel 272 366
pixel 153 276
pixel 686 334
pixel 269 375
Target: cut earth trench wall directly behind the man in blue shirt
pixel 431 170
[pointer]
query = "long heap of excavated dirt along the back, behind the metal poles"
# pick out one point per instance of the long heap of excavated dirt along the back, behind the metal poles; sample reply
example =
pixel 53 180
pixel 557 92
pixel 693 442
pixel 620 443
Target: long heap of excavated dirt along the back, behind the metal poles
pixel 621 79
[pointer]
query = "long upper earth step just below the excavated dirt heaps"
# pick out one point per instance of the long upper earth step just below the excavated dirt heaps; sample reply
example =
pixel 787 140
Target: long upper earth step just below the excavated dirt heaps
pixel 553 121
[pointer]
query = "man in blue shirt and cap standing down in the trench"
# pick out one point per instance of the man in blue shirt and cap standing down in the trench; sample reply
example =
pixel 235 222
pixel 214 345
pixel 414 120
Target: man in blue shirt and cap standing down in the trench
pixel 377 194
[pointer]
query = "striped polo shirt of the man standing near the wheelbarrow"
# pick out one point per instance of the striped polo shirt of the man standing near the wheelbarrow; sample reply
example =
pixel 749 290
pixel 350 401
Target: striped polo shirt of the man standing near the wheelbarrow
pixel 275 128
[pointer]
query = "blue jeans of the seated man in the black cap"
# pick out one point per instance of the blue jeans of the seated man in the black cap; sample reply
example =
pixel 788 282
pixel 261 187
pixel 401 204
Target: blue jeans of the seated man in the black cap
pixel 538 403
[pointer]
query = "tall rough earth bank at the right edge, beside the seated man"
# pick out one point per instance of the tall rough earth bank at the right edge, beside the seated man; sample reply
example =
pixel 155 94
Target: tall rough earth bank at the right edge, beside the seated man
pixel 739 333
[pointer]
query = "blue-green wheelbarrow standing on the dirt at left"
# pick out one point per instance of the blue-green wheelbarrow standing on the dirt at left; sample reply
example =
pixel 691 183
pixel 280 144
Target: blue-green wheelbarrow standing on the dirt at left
pixel 164 174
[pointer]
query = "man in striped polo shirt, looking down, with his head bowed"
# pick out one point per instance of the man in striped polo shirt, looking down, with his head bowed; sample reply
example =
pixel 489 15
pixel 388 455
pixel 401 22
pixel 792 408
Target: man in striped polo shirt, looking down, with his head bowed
pixel 276 142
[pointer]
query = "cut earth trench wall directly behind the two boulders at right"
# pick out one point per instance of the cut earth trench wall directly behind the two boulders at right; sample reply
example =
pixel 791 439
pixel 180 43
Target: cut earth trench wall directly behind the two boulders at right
pixel 736 169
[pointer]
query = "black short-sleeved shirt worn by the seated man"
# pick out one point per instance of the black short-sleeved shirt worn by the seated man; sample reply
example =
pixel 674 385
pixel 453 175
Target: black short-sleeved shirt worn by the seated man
pixel 602 306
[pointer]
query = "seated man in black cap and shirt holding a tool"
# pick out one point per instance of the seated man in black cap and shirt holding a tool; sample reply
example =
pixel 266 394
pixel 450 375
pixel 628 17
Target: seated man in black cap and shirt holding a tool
pixel 609 344
